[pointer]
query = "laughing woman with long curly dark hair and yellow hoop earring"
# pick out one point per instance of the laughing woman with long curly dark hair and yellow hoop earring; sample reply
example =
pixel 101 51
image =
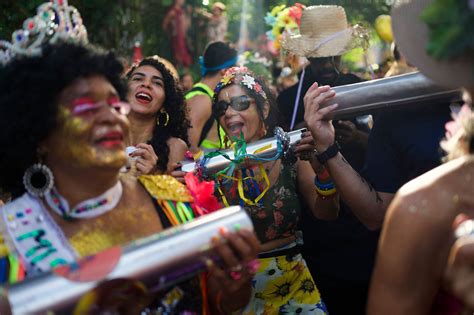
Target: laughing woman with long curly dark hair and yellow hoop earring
pixel 157 118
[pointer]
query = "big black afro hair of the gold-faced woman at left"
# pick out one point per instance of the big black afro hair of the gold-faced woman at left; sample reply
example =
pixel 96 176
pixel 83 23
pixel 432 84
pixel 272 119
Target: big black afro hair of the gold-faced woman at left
pixel 29 91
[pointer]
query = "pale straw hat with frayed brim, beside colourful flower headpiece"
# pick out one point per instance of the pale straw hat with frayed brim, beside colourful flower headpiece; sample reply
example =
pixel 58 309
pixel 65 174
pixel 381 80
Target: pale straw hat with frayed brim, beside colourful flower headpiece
pixel 324 32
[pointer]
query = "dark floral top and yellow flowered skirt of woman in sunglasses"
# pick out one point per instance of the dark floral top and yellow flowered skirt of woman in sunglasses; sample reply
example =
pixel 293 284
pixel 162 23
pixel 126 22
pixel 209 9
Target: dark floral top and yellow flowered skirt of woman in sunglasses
pixel 283 283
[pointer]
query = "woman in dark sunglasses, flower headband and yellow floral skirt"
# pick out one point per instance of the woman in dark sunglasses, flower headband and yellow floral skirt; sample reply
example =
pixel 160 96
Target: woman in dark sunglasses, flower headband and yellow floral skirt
pixel 283 283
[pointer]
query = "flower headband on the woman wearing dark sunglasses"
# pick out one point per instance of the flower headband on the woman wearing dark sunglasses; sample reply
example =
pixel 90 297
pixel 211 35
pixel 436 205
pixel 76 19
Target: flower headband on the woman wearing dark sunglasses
pixel 241 76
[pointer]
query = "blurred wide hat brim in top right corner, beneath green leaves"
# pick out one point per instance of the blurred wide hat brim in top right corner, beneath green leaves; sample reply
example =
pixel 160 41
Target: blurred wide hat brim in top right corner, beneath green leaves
pixel 411 36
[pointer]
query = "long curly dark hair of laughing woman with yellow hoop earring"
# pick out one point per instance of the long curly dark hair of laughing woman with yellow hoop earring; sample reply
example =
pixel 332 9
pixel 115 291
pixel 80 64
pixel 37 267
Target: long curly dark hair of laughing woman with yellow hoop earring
pixel 174 105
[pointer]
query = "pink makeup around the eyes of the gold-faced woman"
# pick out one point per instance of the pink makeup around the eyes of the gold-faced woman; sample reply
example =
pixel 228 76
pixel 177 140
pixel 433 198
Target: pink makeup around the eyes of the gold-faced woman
pixel 85 106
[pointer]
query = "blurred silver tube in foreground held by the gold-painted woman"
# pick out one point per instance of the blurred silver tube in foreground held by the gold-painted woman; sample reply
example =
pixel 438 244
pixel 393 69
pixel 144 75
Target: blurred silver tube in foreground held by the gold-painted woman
pixel 158 262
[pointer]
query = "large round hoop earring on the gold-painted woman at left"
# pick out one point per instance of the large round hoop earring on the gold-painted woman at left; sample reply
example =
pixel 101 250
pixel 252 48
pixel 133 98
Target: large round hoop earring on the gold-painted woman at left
pixel 38 180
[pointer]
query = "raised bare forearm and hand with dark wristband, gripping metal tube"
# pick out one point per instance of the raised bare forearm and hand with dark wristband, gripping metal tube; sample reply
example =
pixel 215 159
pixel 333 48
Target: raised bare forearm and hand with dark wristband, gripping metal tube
pixel 365 202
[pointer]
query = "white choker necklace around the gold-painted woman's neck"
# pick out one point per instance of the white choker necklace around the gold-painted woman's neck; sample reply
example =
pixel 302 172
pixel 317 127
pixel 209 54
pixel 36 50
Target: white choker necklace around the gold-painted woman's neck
pixel 86 209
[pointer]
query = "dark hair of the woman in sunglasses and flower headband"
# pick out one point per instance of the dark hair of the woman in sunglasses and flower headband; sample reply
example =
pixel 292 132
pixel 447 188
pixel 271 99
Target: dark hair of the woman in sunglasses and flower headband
pixel 273 115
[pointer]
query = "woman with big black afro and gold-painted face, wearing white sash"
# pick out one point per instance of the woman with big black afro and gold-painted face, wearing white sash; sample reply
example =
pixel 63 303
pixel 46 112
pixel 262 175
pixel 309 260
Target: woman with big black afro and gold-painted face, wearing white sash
pixel 62 134
